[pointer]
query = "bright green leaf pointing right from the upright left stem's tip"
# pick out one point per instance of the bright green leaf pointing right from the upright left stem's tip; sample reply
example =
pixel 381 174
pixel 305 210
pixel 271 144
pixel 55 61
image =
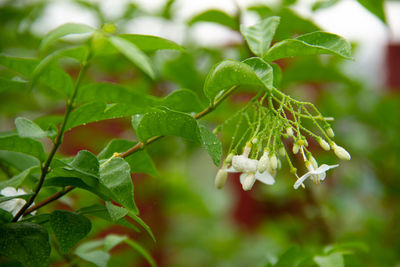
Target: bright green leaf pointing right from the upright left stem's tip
pixel 150 43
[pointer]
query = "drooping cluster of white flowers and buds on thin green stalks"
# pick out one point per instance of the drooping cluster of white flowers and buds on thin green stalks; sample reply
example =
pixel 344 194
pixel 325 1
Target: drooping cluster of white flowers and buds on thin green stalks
pixel 266 127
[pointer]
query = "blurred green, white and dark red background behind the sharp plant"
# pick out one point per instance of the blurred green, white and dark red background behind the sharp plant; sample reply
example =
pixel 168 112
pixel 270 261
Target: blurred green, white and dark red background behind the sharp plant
pixel 355 211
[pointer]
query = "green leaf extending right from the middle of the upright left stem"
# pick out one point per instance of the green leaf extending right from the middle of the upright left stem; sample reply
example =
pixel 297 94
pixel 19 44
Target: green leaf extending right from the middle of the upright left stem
pixel 98 111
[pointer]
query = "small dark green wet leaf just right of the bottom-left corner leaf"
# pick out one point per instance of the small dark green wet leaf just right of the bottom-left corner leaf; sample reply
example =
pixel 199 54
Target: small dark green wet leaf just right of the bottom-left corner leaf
pixel 69 228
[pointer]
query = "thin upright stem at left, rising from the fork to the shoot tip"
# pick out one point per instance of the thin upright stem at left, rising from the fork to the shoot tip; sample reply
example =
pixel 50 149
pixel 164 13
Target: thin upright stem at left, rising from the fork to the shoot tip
pixel 56 145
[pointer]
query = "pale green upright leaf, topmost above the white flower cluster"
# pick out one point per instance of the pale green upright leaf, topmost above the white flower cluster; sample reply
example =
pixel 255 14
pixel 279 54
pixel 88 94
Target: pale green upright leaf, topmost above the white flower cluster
pixel 259 36
